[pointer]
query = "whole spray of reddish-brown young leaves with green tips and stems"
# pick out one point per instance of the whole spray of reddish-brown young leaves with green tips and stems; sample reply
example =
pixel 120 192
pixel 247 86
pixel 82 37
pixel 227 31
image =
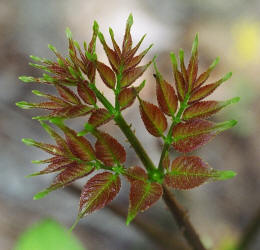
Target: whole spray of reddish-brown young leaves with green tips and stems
pixel 181 109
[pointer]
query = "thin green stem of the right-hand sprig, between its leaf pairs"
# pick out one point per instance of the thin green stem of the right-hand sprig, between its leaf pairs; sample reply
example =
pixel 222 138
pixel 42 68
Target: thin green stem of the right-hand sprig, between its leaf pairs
pixel 168 140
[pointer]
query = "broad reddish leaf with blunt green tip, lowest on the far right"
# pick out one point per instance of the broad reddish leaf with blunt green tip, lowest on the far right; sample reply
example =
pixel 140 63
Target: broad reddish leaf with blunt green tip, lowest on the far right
pixel 187 172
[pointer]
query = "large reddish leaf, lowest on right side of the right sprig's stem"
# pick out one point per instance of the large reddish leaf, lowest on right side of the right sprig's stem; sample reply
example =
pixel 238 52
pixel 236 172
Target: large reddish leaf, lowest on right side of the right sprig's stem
pixel 195 133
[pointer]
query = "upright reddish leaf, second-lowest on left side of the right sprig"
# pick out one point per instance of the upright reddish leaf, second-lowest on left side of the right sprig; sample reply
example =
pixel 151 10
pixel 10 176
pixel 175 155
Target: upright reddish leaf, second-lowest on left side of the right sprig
pixel 166 96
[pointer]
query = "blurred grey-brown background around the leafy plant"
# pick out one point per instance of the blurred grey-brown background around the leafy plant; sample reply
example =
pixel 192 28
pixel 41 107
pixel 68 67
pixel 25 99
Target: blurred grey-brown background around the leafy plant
pixel 221 211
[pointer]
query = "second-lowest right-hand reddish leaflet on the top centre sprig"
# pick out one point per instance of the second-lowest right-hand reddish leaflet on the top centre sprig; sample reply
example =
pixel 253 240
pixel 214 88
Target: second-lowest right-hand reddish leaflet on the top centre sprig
pixel 132 75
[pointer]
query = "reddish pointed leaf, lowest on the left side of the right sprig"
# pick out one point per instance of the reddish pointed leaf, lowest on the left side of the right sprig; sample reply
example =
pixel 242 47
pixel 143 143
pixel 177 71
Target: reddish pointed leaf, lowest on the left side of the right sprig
pixel 153 118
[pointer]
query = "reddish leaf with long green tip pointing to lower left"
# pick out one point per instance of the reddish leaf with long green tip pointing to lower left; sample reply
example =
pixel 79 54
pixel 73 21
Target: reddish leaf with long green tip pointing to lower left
pixel 67 176
